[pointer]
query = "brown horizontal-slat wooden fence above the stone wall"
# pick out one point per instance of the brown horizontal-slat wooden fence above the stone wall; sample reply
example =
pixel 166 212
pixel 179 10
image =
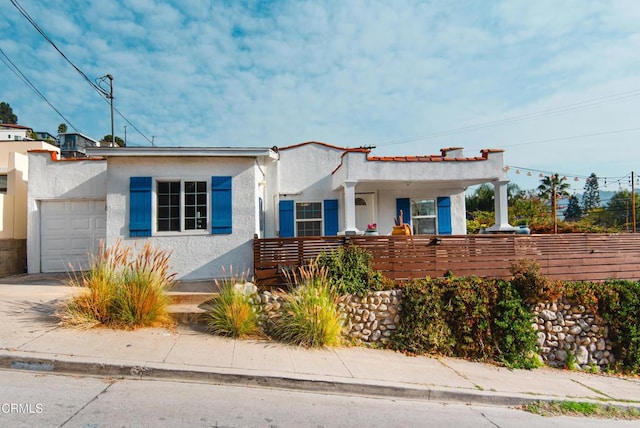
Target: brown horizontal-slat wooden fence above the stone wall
pixel 589 257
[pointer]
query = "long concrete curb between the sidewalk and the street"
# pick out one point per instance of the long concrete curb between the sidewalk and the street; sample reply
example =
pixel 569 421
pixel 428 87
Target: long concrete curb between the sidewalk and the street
pixel 53 364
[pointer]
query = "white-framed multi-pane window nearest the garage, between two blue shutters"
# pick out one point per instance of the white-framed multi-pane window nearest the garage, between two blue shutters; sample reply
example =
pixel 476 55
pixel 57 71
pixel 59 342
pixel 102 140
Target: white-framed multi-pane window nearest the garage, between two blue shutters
pixel 181 205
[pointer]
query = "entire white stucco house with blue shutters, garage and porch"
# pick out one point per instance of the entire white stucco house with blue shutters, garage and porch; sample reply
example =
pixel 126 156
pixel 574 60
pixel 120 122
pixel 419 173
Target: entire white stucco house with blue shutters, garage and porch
pixel 207 205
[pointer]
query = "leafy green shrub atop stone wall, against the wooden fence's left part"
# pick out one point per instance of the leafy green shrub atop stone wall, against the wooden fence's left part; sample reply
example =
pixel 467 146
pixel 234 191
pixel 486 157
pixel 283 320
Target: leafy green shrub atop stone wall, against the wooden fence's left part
pixel 349 270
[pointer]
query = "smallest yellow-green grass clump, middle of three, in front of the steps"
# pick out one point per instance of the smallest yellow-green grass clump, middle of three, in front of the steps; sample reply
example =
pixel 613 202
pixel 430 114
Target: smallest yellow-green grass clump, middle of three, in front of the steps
pixel 234 312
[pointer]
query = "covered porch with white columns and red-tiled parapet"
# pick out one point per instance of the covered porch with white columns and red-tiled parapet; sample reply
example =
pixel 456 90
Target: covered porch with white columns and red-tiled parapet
pixel 374 190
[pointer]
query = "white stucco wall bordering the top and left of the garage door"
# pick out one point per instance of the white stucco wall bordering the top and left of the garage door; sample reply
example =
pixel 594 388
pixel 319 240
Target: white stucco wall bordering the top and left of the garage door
pixel 61 179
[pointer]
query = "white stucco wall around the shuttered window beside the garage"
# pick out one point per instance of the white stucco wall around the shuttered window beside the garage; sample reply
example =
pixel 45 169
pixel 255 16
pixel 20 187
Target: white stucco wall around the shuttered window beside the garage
pixel 201 255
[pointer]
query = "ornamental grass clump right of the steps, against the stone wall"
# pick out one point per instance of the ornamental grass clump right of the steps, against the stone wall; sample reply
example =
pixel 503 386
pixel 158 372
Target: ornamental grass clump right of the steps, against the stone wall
pixel 309 313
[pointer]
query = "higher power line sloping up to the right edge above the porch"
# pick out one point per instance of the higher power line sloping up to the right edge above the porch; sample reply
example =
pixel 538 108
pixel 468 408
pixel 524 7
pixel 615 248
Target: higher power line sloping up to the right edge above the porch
pixel 556 110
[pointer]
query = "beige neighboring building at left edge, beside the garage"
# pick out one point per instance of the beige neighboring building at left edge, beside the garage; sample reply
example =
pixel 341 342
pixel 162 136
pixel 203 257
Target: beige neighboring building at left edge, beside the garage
pixel 14 171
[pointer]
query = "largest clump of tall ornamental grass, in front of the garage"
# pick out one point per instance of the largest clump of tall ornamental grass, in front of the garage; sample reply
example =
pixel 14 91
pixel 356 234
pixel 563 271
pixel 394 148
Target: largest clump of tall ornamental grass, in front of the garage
pixel 122 290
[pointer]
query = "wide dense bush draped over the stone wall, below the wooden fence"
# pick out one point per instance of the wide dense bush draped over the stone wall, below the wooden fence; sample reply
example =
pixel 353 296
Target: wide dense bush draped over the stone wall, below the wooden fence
pixel 466 317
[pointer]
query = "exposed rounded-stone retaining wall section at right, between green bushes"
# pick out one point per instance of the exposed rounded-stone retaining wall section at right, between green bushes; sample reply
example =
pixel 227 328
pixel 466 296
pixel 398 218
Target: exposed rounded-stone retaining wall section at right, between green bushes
pixel 566 329
